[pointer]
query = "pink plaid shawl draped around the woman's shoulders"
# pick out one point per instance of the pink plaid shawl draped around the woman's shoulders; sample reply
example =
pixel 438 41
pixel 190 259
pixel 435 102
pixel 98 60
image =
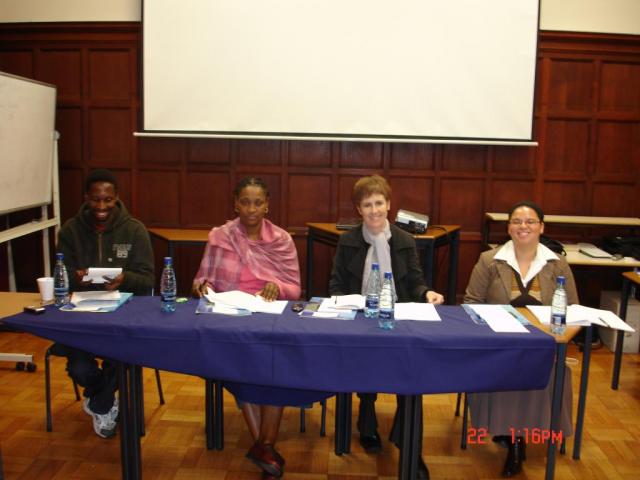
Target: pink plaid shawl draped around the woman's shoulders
pixel 273 258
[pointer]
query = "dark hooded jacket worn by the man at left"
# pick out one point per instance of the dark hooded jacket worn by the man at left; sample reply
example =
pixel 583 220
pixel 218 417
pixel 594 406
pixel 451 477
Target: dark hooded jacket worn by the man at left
pixel 124 243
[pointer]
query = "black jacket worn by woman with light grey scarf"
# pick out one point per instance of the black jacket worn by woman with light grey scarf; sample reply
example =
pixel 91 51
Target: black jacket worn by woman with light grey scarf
pixel 348 265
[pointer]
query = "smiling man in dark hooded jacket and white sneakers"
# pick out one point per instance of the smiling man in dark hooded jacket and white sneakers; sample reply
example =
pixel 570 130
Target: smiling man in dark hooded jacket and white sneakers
pixel 103 234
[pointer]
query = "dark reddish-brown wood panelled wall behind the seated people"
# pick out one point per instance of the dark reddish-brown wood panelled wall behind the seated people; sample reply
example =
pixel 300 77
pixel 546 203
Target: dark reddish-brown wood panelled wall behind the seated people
pixel 587 123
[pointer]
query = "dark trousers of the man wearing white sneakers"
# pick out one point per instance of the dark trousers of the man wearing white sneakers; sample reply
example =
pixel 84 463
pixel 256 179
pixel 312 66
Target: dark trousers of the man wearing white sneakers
pixel 99 383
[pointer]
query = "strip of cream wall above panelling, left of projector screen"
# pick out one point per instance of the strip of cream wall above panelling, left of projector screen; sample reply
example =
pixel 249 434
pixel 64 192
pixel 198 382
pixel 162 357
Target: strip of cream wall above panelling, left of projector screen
pixel 14 11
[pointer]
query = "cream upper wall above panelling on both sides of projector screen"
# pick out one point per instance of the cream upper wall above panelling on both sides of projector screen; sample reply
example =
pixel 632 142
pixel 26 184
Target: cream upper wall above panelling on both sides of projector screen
pixel 605 16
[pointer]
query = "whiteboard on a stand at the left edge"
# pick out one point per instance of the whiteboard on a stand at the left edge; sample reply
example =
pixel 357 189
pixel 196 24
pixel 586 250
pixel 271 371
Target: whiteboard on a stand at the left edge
pixel 27 128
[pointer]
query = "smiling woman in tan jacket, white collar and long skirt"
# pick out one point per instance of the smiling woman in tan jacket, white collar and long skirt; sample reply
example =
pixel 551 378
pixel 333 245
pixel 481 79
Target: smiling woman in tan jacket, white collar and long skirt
pixel 521 272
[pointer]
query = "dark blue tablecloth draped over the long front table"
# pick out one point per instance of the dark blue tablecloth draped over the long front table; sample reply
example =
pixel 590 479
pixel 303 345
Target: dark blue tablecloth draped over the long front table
pixel 313 357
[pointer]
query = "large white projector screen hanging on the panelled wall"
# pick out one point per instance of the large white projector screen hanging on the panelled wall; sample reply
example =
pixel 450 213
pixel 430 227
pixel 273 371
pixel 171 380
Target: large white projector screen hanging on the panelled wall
pixel 403 70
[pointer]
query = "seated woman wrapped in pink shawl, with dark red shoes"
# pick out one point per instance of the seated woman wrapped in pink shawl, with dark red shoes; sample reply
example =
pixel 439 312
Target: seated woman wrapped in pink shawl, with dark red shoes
pixel 253 255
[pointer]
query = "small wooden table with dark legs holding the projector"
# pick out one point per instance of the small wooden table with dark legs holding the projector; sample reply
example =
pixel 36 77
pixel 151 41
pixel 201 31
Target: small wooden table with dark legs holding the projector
pixel 436 236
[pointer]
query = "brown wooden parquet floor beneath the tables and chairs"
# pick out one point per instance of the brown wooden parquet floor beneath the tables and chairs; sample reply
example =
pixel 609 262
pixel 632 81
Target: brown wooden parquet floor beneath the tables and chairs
pixel 174 447
